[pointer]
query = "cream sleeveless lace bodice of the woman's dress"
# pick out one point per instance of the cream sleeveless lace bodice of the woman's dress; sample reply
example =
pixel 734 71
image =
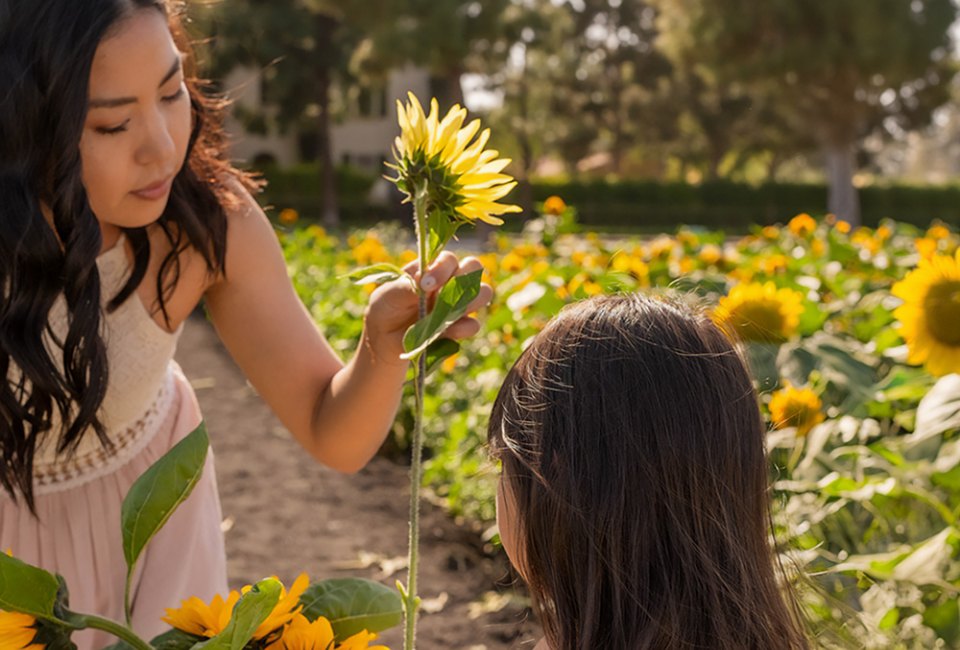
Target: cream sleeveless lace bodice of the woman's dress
pixel 140 384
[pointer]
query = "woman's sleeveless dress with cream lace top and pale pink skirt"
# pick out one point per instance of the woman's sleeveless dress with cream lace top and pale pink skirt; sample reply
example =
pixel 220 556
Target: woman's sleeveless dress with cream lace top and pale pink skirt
pixel 149 406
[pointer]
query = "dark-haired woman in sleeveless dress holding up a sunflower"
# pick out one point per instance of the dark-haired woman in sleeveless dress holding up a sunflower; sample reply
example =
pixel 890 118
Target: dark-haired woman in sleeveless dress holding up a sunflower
pixel 118 214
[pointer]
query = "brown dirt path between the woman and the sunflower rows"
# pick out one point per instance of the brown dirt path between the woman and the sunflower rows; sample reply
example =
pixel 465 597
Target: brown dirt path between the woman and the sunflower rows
pixel 284 514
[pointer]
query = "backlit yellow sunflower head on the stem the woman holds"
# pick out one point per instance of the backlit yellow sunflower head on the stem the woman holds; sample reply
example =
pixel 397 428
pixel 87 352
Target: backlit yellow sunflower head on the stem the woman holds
pixel 462 178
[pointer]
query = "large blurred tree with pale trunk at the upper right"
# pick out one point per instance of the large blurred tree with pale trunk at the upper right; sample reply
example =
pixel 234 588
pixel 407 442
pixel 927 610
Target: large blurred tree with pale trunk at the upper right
pixel 845 67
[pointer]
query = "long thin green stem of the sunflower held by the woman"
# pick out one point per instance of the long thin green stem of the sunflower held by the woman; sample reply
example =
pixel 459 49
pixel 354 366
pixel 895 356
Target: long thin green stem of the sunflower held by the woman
pixel 420 205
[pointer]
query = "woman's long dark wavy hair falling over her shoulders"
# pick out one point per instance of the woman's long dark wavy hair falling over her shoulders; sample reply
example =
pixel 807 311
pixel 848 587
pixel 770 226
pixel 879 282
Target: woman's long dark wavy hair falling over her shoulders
pixel 46 51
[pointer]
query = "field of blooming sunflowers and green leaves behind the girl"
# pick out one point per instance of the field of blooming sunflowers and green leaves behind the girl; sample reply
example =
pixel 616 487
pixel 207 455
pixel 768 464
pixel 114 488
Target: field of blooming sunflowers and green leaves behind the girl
pixel 853 337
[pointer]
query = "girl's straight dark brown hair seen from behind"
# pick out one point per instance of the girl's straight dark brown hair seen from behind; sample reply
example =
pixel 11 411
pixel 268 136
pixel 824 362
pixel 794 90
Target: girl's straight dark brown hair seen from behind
pixel 635 471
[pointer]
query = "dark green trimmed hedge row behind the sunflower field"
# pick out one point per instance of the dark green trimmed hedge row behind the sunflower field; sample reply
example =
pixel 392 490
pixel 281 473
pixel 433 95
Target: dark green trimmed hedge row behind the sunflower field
pixel 644 205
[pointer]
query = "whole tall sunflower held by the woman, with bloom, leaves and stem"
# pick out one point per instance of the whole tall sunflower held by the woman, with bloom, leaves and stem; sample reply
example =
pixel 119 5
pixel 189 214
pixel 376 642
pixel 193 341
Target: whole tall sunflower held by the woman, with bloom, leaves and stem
pixel 445 170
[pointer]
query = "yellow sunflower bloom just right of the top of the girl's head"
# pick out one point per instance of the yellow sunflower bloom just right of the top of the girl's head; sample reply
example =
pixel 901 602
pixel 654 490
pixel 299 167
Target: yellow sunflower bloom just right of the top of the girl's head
pixel 760 312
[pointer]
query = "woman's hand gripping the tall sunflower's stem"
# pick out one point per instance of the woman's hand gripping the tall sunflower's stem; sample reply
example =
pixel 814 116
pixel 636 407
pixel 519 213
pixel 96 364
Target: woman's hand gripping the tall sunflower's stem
pixel 393 306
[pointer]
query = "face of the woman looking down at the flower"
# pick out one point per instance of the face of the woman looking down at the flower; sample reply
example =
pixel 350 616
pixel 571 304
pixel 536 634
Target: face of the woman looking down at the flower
pixel 138 124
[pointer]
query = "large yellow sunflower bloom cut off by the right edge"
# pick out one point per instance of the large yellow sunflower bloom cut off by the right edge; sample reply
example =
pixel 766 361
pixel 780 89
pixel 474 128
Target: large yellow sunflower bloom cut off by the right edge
pixel 930 314
